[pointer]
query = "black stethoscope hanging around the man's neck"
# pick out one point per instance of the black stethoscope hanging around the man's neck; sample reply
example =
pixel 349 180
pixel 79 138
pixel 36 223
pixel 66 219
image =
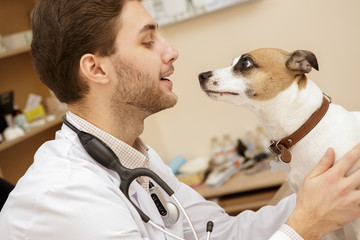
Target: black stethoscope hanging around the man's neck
pixel 102 153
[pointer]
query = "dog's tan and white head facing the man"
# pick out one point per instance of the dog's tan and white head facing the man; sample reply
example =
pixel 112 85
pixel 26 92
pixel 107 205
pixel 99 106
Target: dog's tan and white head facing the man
pixel 258 75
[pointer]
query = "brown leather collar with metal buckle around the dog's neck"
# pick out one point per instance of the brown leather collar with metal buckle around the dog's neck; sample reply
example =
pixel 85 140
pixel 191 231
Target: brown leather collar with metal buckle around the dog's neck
pixel 281 147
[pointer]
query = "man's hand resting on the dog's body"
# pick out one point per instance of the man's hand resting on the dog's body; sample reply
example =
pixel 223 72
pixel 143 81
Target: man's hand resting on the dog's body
pixel 328 198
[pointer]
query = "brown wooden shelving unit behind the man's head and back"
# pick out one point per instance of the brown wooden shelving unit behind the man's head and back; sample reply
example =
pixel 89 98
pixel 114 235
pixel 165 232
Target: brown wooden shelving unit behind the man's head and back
pixel 17 74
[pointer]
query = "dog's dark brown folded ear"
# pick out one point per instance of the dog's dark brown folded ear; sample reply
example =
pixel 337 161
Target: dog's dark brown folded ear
pixel 302 60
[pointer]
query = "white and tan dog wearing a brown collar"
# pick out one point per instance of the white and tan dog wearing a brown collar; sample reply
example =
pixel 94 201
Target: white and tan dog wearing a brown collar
pixel 295 113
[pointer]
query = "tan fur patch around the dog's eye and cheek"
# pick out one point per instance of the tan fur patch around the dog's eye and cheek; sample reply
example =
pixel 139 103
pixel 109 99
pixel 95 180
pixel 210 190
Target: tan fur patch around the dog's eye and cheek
pixel 266 73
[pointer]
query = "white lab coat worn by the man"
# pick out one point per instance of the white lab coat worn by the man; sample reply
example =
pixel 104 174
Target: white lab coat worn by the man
pixel 66 195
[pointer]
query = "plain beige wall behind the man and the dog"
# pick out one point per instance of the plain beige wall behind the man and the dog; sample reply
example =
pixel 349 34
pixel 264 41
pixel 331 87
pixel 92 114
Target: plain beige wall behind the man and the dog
pixel 330 29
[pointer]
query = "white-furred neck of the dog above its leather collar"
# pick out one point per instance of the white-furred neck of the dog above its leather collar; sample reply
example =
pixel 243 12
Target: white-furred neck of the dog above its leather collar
pixel 284 114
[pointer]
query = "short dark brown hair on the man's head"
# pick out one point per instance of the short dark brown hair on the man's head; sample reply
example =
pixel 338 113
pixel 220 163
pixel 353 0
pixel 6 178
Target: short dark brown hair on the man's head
pixel 65 30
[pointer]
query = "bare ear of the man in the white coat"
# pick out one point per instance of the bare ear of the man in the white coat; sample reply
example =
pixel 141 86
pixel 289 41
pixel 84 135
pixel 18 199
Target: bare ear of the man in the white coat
pixel 91 67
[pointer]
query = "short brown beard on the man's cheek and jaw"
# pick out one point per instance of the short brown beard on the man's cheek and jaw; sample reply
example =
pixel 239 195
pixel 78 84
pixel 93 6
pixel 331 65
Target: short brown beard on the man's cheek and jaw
pixel 139 90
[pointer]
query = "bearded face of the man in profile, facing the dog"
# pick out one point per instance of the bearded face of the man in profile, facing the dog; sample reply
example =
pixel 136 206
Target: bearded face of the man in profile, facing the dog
pixel 142 62
